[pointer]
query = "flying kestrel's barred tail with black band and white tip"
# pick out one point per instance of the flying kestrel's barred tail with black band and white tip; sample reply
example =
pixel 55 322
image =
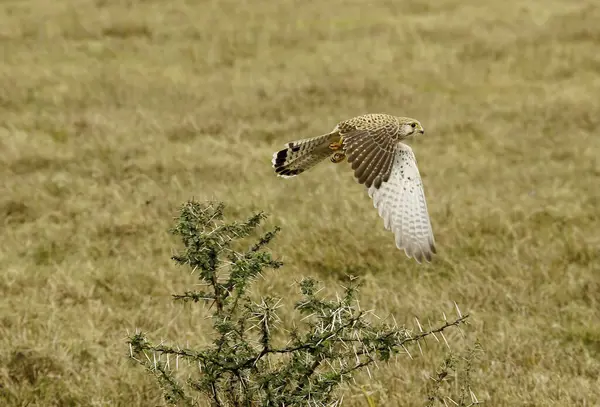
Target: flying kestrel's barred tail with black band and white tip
pixel 301 155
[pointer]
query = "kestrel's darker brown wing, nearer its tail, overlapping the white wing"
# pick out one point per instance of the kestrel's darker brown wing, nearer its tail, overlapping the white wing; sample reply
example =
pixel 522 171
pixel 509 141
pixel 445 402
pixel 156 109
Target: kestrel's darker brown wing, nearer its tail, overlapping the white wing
pixel 371 154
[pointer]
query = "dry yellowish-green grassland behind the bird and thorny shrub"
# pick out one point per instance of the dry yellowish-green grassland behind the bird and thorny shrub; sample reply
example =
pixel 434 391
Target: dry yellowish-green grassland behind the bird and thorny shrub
pixel 113 113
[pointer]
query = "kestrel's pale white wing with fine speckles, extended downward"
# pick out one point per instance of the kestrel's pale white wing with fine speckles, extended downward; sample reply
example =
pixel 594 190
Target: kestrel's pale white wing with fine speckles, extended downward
pixel 401 203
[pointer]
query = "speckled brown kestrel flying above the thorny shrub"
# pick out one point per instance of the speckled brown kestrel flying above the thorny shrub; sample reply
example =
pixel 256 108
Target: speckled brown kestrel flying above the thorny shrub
pixel 372 144
